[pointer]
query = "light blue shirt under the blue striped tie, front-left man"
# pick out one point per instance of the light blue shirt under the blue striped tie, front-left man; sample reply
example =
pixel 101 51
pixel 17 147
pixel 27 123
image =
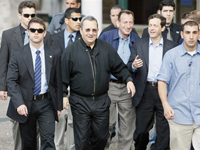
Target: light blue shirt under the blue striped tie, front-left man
pixel 44 85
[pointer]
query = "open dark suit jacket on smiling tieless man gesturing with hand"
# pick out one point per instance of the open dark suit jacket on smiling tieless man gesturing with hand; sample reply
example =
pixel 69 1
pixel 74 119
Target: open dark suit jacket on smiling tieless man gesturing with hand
pixel 141 48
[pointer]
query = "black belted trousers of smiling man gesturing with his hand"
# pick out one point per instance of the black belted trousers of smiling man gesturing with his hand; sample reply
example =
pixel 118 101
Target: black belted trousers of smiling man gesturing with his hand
pixel 149 105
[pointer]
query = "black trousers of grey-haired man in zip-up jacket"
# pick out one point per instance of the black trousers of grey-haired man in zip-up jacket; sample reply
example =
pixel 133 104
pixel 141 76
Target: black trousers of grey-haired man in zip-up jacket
pixel 91 122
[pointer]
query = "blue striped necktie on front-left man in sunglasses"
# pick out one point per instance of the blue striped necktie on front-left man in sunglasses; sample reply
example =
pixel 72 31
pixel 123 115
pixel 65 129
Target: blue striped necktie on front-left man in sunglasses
pixel 37 88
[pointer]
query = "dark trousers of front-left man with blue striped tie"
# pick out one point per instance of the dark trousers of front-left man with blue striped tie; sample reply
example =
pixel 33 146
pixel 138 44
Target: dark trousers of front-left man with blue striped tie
pixel 41 111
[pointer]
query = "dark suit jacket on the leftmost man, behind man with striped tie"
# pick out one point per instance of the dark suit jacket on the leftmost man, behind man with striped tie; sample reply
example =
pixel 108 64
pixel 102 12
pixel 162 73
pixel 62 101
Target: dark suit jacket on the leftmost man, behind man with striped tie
pixel 12 39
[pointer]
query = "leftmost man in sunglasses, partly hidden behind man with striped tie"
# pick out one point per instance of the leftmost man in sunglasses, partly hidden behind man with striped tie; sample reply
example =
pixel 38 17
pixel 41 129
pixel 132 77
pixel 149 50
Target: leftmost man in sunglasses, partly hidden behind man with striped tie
pixel 11 39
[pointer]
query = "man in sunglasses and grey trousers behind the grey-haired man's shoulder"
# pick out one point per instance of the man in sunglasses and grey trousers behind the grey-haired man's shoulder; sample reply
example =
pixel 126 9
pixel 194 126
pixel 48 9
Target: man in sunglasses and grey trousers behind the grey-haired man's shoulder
pixel 62 40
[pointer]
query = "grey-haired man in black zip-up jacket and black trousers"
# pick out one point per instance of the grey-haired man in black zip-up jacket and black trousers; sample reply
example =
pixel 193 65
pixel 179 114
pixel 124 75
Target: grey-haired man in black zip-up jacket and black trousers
pixel 86 67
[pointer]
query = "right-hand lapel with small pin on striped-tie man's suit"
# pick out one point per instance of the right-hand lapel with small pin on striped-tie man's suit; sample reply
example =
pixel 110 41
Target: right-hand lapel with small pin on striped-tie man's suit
pixel 48 60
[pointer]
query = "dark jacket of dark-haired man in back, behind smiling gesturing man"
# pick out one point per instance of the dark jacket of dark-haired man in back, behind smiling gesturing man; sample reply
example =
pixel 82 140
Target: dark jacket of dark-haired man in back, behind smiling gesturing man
pixel 175 30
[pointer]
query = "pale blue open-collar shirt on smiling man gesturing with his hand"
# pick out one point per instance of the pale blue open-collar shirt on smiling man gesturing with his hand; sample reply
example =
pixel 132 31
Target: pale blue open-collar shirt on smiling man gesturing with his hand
pixel 155 60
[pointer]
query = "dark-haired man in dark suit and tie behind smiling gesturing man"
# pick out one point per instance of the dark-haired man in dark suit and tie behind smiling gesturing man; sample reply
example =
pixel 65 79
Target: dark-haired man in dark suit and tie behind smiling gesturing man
pixel 172 30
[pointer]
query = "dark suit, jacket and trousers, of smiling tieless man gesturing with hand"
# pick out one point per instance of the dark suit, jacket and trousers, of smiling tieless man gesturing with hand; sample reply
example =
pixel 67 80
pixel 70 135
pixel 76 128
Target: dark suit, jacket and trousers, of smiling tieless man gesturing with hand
pixel 146 99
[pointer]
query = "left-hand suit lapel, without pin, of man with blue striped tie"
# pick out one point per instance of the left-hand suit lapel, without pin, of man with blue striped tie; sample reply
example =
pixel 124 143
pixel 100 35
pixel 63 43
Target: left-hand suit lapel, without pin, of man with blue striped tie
pixel 28 60
